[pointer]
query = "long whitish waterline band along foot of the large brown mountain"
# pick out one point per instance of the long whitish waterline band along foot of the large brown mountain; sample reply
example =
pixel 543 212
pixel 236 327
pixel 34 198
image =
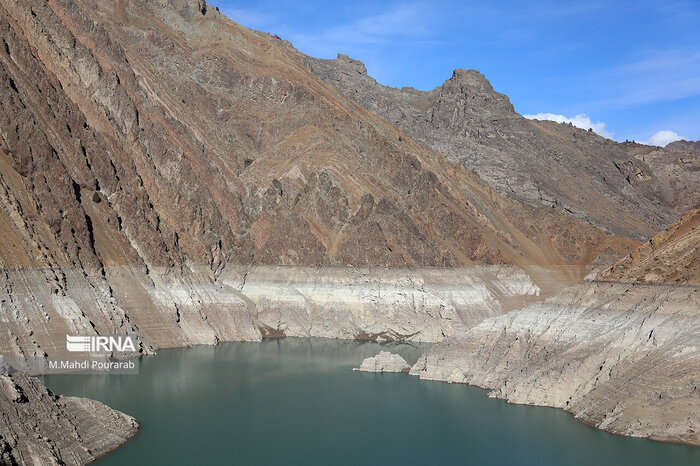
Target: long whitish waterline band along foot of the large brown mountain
pixel 247 303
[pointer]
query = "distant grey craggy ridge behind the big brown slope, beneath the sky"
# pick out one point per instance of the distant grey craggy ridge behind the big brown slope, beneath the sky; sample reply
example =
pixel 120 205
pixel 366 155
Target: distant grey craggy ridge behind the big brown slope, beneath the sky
pixel 541 163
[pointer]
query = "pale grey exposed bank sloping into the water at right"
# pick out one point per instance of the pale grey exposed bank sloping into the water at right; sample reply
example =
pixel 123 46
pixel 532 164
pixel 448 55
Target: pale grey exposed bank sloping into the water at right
pixel 623 358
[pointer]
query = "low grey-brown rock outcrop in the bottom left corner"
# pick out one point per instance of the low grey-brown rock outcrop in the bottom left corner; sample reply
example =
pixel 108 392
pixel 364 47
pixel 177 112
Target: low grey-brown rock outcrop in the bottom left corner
pixel 40 428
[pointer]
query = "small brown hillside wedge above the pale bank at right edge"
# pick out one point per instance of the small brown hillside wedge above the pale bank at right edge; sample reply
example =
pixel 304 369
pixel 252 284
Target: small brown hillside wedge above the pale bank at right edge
pixel 669 257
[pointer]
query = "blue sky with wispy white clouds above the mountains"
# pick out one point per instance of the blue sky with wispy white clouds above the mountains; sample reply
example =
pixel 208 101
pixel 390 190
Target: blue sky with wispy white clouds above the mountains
pixel 629 69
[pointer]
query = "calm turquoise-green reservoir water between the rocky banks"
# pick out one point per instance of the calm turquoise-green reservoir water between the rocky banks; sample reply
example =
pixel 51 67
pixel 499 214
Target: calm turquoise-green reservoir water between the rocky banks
pixel 298 402
